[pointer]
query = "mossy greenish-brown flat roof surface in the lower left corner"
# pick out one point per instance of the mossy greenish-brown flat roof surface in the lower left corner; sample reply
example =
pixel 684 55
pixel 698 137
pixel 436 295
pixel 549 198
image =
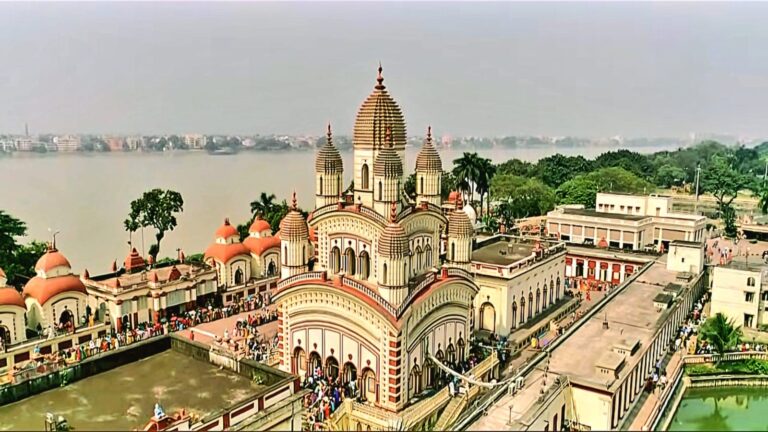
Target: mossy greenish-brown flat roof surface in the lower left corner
pixel 124 398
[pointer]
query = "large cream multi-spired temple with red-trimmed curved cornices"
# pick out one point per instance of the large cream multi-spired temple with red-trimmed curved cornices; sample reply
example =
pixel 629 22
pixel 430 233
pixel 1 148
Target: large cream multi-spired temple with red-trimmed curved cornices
pixel 378 302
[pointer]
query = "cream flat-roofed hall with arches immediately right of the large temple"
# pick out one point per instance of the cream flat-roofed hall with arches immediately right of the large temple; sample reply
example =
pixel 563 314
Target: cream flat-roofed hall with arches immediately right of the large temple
pixel 519 280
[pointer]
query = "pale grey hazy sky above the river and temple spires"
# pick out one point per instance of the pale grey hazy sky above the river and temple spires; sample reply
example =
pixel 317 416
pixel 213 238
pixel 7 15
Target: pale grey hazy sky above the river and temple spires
pixel 596 69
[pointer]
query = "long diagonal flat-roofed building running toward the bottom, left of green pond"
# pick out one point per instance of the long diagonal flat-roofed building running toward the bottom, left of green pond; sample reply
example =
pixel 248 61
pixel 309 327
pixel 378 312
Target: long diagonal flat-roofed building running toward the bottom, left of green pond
pixel 595 377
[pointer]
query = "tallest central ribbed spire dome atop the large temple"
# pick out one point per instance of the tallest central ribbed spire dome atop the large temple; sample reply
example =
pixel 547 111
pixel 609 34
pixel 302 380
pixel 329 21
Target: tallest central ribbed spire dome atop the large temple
pixel 378 112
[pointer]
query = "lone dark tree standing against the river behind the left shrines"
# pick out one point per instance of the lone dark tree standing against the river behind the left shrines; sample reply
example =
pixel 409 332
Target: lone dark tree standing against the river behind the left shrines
pixel 156 208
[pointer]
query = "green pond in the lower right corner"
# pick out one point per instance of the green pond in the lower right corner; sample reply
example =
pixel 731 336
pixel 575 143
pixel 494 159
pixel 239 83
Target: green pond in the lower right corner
pixel 722 409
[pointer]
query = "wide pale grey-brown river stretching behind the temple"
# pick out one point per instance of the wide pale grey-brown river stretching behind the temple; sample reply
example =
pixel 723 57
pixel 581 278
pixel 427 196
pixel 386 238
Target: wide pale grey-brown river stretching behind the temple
pixel 87 196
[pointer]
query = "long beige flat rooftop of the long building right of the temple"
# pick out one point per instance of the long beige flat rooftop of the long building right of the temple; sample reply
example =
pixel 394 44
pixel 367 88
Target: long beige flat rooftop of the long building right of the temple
pixel 630 315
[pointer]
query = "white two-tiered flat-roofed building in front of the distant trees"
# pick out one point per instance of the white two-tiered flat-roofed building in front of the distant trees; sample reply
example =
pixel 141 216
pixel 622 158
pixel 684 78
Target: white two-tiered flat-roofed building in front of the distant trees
pixel 626 221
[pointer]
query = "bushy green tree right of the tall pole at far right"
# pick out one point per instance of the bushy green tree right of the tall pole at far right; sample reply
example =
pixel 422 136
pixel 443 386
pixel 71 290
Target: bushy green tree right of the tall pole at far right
pixel 723 181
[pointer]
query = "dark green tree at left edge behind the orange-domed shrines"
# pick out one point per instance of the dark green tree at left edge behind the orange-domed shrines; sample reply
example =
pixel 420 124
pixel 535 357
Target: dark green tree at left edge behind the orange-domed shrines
pixel 17 260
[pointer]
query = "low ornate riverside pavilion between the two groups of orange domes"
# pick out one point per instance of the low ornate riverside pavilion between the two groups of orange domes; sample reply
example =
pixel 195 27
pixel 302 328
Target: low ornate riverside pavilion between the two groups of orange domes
pixel 142 293
